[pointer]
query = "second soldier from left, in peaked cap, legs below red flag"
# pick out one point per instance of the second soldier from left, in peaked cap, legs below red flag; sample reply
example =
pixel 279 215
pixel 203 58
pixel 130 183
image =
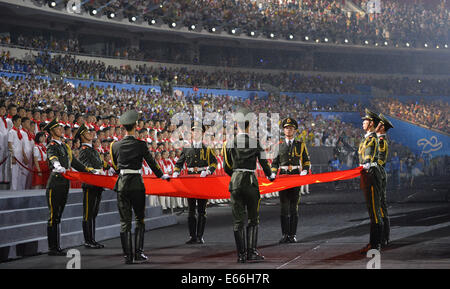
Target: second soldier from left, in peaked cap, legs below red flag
pixel 92 195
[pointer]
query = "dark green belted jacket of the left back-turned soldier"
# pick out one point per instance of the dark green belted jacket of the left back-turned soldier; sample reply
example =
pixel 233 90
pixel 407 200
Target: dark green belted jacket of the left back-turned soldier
pixel 129 153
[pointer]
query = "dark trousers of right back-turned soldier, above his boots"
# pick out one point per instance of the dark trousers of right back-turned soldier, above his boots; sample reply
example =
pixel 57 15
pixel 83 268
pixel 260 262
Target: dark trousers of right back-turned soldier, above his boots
pixel 245 199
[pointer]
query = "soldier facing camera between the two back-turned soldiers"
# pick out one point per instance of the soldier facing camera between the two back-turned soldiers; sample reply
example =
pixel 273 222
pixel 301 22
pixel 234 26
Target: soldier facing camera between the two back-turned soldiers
pixel 199 159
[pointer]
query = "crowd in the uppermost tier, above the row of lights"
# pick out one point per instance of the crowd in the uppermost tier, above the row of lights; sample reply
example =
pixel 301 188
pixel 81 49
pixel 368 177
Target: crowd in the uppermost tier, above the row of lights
pixel 399 22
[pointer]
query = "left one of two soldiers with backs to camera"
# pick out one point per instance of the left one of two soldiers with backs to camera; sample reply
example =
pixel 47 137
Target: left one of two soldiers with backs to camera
pixel 127 156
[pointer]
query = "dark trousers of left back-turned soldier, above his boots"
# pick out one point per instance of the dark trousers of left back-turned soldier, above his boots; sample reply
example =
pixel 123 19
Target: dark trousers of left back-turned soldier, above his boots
pixel 127 201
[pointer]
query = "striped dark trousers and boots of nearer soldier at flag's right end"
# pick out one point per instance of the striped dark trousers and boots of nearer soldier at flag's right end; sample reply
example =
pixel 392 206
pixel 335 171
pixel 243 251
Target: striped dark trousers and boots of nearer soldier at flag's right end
pixel 371 186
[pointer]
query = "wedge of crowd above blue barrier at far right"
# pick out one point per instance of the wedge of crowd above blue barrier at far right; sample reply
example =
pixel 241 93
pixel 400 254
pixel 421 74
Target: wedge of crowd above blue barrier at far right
pixel 433 115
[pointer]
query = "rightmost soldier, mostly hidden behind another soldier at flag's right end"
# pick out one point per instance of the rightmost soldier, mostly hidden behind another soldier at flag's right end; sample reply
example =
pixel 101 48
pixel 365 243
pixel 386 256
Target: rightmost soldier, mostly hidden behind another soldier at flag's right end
pixel 381 130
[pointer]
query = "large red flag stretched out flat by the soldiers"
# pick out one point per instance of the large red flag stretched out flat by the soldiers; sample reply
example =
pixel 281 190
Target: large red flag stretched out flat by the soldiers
pixel 213 187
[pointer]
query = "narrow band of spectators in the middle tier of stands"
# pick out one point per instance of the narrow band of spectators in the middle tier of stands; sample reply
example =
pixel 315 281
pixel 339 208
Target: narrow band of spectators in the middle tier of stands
pixel 71 67
